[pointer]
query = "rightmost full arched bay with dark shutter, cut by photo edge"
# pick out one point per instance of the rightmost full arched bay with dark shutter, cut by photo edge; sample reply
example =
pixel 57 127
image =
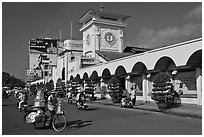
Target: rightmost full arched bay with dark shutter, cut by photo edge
pixel 189 78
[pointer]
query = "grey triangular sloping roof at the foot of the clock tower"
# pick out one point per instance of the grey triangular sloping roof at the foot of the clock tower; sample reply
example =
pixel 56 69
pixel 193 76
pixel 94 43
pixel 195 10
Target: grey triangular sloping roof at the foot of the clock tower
pixel 109 55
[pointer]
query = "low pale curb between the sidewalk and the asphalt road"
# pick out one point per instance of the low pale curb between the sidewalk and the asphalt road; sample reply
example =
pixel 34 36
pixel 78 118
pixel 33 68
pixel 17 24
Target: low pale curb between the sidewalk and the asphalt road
pixel 172 112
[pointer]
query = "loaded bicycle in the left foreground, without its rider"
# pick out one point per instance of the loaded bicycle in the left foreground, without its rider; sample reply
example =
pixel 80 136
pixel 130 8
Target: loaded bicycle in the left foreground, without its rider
pixel 40 118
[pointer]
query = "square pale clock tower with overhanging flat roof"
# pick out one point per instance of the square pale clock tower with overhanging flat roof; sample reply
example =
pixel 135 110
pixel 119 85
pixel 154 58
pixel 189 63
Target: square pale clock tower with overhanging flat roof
pixel 102 31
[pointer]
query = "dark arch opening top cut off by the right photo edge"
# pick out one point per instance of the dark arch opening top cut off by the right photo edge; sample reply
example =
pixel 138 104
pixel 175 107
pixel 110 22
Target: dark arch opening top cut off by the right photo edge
pixel 195 60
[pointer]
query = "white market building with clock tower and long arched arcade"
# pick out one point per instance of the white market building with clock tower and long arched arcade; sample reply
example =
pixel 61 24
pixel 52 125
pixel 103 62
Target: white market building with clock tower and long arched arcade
pixel 102 54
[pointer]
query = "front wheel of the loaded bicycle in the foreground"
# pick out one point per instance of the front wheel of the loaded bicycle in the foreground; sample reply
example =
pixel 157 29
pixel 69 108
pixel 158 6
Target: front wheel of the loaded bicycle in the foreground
pixel 59 123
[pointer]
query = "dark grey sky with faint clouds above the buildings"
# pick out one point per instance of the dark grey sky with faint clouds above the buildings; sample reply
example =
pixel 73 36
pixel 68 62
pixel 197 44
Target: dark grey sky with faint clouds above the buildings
pixel 151 25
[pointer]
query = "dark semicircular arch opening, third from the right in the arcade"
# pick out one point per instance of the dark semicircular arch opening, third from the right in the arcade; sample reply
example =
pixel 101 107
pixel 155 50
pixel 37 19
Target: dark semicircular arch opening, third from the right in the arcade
pixel 139 68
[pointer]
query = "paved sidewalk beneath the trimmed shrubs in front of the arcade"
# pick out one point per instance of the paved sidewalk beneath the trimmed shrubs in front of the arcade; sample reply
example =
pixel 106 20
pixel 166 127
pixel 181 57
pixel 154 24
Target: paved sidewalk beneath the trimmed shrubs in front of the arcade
pixel 186 110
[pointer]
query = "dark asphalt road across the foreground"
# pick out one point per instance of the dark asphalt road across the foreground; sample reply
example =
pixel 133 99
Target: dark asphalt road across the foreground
pixel 102 120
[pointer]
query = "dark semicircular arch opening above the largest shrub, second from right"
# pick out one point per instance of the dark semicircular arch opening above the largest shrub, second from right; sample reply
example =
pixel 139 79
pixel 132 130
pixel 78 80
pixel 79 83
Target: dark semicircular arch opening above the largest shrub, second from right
pixel 164 63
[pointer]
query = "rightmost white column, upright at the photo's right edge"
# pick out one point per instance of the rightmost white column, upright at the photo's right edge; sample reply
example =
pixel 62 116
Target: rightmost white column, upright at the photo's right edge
pixel 199 85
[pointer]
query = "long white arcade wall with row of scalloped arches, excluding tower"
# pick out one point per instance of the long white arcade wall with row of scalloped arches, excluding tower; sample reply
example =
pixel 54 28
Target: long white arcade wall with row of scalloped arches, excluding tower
pixel 188 66
